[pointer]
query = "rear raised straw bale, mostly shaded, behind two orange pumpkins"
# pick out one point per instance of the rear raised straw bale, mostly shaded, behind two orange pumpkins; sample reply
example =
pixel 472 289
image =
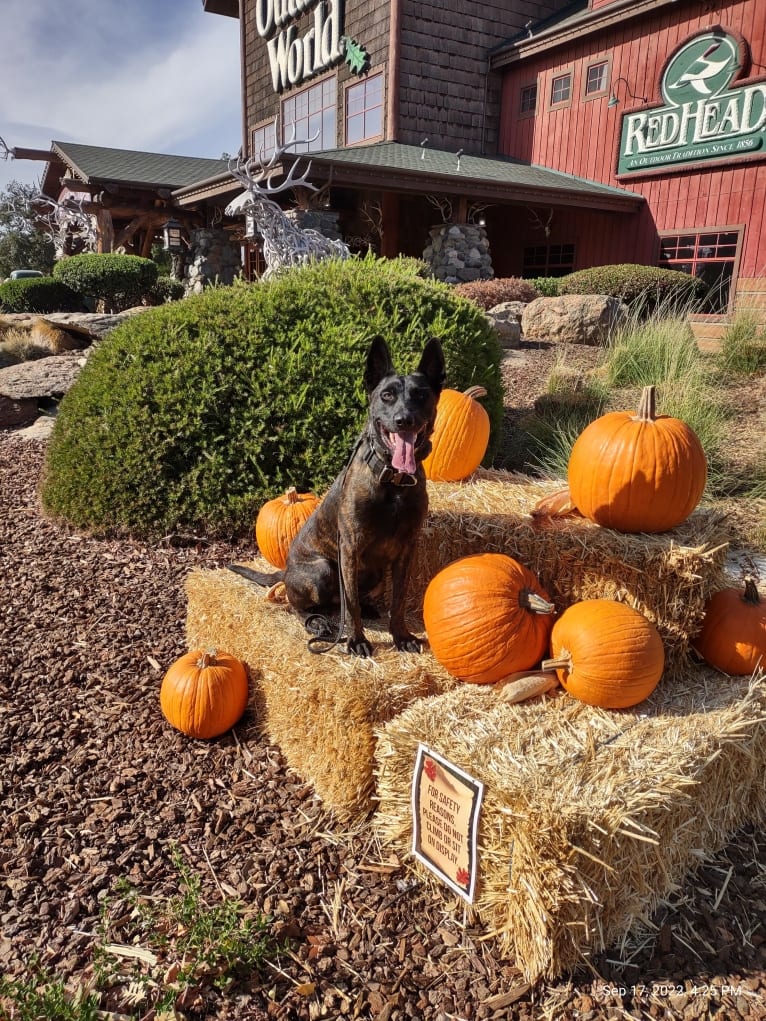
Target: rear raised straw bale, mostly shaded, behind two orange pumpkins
pixel 667 577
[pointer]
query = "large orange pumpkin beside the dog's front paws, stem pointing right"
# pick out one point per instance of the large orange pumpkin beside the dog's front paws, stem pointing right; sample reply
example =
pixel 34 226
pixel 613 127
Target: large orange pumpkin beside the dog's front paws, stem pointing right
pixel 487 617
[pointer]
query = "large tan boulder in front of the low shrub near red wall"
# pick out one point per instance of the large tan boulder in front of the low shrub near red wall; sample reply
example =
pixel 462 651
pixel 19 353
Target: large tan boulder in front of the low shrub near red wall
pixel 573 319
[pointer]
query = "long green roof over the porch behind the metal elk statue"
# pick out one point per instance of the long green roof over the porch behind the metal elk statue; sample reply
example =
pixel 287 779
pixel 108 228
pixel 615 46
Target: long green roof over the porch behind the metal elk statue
pixel 472 172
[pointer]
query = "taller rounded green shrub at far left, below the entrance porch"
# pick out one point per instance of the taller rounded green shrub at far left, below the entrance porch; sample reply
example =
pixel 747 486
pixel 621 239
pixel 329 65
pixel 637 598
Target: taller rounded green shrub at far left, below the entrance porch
pixel 116 282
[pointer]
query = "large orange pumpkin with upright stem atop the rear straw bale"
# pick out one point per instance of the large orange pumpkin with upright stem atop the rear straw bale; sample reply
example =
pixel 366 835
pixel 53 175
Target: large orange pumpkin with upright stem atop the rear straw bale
pixel 638 473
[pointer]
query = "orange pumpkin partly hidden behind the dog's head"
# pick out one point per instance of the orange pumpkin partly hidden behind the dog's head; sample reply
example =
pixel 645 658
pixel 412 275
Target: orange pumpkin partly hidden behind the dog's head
pixel 460 436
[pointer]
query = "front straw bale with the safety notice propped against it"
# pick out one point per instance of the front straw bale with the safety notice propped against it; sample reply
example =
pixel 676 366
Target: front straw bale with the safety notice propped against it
pixel 590 817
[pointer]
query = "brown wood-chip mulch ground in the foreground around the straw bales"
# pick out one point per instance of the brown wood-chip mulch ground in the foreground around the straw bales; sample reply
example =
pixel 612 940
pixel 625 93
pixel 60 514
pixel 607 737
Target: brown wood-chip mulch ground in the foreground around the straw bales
pixel 99 793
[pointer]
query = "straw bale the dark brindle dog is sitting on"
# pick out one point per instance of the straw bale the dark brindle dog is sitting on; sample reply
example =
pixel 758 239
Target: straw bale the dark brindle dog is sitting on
pixel 320 710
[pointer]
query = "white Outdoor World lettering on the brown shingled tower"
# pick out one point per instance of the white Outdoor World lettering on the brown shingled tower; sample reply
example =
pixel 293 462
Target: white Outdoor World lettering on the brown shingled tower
pixel 295 58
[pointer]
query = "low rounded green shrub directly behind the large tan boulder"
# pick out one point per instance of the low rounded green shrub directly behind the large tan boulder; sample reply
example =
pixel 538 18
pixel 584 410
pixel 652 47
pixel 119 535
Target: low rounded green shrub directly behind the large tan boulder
pixel 652 287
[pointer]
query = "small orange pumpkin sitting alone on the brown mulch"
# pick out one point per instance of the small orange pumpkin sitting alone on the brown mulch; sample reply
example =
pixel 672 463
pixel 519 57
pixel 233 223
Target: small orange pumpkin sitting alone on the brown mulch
pixel 205 694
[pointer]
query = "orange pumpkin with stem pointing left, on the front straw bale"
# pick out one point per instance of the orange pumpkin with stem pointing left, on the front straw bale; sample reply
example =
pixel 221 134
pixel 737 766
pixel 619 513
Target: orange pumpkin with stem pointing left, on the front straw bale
pixel 606 654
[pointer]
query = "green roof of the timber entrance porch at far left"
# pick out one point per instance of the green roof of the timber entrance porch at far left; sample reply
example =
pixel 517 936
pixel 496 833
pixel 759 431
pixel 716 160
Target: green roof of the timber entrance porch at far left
pixel 94 164
